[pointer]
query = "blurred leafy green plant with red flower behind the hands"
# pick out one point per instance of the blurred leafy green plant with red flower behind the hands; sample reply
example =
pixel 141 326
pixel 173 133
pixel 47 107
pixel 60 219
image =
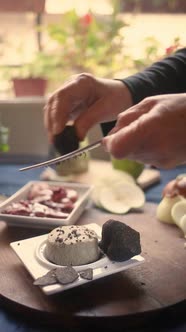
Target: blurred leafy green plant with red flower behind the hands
pixel 92 43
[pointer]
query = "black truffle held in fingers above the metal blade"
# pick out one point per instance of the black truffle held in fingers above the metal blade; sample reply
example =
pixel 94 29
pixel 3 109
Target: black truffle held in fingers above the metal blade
pixel 67 141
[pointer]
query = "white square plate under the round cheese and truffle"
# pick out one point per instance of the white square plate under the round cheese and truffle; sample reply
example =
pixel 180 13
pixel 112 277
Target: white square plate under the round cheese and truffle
pixel 30 253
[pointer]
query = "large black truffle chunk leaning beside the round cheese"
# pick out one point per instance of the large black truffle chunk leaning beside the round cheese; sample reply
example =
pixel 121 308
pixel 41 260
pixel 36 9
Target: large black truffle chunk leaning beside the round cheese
pixel 119 241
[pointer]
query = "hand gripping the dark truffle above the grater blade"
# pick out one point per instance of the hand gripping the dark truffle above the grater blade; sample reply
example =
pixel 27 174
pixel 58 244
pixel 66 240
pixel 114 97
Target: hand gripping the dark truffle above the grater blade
pixel 86 100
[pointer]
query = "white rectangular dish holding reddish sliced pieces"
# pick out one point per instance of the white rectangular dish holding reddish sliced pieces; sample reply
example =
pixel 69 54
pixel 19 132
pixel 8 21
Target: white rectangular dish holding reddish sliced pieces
pixel 83 191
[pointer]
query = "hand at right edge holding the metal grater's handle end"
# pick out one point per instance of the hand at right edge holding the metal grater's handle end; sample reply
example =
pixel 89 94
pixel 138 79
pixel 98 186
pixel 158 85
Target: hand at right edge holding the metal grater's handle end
pixel 152 132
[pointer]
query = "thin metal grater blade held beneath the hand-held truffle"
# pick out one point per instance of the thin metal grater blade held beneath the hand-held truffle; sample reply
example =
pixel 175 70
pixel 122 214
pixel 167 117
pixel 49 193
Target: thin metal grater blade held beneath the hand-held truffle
pixel 67 156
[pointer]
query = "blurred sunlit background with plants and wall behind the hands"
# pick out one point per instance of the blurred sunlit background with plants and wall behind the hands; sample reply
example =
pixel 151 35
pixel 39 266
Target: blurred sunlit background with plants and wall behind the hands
pixel 43 42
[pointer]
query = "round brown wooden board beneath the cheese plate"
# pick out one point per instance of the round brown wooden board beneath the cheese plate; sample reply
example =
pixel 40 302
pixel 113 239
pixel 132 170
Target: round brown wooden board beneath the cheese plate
pixel 134 298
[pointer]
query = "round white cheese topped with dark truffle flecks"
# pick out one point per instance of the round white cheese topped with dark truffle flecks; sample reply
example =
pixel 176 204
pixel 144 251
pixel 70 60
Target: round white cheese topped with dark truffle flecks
pixel 72 245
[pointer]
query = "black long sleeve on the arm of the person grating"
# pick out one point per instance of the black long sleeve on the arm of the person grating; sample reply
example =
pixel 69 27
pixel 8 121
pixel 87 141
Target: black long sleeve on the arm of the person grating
pixel 163 77
